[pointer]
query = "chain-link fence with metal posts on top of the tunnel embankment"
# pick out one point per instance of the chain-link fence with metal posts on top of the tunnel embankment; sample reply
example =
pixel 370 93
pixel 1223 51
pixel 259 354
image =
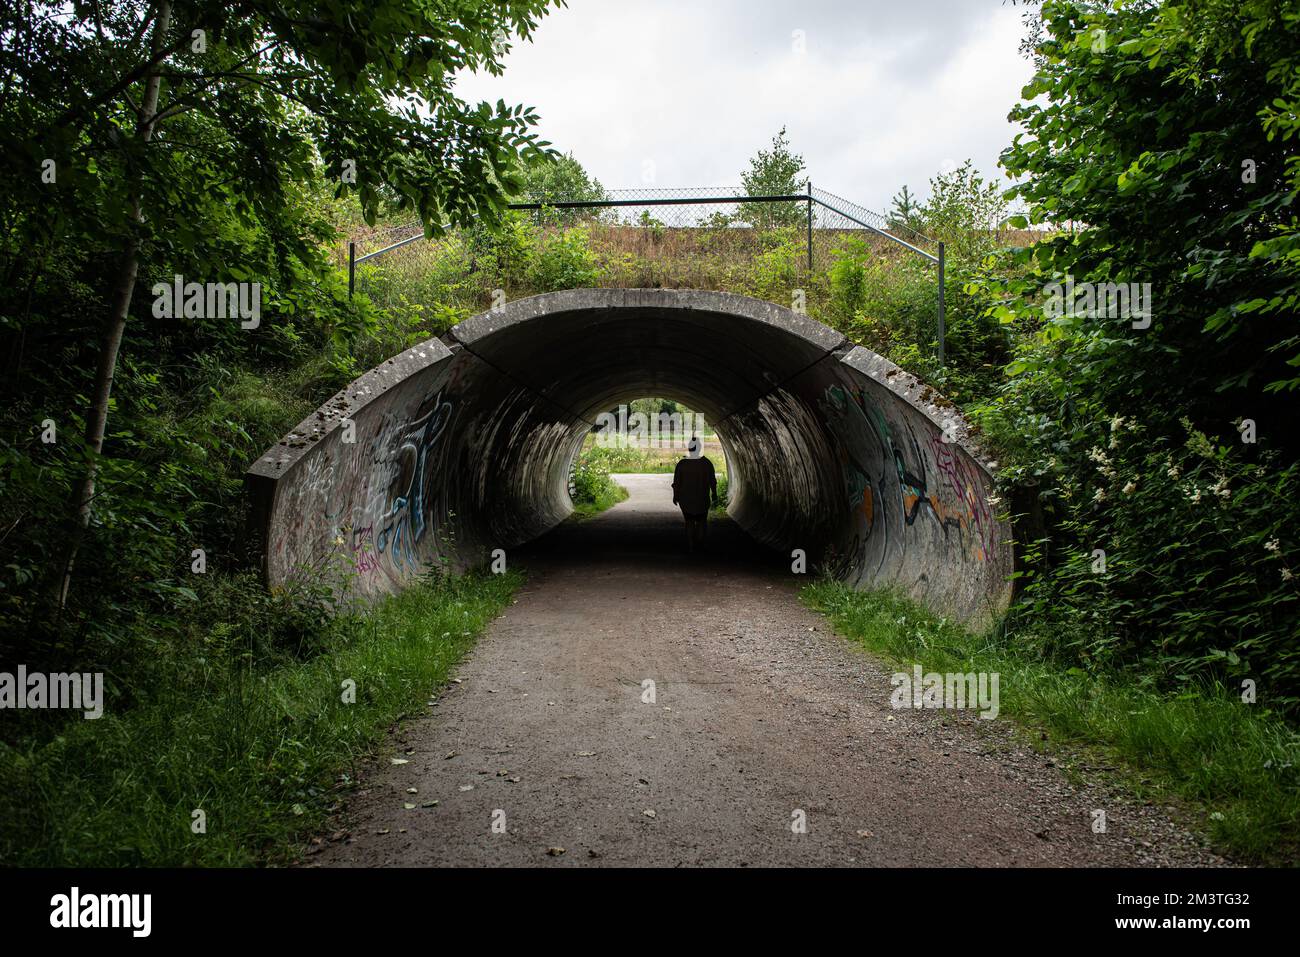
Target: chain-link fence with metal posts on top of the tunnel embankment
pixel 645 239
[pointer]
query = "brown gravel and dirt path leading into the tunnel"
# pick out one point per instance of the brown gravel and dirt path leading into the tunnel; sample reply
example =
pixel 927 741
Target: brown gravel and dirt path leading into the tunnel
pixel 759 713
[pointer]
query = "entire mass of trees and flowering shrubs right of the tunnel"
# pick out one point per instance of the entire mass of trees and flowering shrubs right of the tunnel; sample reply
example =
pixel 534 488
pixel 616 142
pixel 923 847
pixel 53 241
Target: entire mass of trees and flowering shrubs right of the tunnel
pixel 1159 453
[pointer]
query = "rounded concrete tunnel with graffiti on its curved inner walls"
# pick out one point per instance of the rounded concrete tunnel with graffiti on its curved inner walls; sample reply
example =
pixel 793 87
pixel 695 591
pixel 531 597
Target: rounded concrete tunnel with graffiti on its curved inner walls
pixel 463 444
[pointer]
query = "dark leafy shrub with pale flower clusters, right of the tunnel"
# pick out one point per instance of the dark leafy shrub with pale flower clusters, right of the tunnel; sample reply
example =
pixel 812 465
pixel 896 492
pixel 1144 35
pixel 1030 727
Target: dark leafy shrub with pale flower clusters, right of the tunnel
pixel 1180 560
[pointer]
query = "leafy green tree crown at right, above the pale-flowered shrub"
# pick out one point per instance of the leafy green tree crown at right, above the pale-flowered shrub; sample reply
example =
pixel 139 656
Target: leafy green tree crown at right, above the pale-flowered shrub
pixel 1172 132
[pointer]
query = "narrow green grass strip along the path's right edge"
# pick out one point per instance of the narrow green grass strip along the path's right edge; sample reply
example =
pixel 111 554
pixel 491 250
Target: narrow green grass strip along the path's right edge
pixel 1234 768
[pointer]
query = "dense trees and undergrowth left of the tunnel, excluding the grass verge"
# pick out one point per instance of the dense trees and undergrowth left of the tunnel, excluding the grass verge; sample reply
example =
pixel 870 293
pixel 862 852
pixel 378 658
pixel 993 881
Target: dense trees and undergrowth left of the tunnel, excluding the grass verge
pixel 142 153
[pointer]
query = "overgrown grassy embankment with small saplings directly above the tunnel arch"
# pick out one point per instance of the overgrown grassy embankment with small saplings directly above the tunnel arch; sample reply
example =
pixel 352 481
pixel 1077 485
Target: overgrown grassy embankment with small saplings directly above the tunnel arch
pixel 876 293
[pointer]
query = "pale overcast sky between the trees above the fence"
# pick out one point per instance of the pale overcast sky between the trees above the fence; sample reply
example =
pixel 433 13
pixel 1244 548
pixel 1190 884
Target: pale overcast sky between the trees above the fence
pixel 682 93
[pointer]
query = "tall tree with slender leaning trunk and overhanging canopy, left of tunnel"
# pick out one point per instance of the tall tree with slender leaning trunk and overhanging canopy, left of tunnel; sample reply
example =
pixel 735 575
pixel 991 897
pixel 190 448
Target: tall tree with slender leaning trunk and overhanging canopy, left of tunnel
pixel 138 112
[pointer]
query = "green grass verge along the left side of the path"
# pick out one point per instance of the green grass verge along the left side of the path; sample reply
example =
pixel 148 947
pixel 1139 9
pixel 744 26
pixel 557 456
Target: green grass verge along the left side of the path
pixel 262 755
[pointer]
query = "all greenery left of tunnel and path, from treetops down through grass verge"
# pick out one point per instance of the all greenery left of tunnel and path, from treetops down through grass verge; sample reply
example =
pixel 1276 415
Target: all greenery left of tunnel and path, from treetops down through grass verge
pixel 154 140
